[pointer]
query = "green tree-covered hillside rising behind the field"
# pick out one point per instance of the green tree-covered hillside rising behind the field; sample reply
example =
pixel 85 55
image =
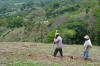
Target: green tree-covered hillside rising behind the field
pixel 40 19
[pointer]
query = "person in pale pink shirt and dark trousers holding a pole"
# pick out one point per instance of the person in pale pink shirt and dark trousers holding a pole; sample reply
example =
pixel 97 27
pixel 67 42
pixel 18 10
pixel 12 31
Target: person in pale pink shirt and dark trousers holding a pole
pixel 58 42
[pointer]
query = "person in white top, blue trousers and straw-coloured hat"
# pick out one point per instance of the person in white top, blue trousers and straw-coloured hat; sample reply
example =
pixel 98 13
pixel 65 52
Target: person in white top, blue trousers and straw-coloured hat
pixel 87 46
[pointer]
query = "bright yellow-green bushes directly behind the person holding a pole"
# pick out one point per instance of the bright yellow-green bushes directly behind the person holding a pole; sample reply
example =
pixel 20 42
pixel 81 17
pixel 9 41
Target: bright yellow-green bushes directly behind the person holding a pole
pixel 66 34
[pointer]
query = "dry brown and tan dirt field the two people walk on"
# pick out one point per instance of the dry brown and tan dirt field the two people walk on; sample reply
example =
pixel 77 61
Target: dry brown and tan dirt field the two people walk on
pixel 13 52
